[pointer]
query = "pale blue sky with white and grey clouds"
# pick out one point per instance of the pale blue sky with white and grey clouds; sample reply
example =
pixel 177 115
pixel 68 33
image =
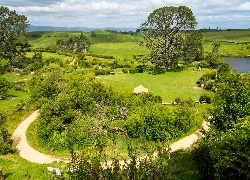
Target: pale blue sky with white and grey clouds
pixel 222 14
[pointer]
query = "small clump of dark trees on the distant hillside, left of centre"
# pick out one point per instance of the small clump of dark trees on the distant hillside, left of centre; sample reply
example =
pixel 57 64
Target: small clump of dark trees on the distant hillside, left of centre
pixel 74 44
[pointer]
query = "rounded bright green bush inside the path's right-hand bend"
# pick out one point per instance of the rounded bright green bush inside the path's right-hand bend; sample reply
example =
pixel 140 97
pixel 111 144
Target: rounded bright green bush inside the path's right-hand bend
pixel 158 123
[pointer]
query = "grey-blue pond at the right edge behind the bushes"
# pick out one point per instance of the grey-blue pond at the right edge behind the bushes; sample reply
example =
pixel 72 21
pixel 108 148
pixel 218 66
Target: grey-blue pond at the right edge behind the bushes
pixel 239 64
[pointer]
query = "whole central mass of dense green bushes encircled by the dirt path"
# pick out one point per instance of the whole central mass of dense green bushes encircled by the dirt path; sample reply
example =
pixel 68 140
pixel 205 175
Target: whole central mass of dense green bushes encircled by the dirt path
pixel 90 113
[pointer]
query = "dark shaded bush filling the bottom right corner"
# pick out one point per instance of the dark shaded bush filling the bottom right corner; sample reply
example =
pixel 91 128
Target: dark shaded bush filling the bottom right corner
pixel 224 155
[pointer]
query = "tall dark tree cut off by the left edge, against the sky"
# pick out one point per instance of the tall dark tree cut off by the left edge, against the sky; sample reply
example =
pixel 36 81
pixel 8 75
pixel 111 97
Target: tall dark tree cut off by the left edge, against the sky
pixel 13 28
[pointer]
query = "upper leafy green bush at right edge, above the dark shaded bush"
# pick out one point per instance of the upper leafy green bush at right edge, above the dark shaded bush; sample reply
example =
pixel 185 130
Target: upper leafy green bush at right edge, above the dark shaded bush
pixel 231 101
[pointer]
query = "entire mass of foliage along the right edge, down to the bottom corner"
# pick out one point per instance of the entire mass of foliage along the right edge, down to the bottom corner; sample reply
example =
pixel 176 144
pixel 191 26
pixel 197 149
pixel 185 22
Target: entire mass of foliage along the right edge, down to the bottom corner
pixel 224 152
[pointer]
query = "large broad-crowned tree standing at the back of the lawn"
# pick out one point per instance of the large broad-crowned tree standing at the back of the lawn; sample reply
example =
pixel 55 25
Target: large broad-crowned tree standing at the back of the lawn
pixel 167 34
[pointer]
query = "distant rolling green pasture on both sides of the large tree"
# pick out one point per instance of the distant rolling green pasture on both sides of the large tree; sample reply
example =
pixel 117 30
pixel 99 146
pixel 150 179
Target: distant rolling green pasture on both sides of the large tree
pixel 123 46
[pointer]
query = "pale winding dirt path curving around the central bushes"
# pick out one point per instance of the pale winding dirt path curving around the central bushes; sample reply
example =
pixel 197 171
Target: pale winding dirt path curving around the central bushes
pixel 32 155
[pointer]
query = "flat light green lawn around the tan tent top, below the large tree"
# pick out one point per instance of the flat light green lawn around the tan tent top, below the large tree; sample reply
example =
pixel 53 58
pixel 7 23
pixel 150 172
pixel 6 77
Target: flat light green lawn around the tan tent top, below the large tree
pixel 169 86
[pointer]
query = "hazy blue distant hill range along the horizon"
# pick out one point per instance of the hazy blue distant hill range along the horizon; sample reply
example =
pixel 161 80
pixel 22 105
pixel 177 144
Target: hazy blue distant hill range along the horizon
pixel 84 29
